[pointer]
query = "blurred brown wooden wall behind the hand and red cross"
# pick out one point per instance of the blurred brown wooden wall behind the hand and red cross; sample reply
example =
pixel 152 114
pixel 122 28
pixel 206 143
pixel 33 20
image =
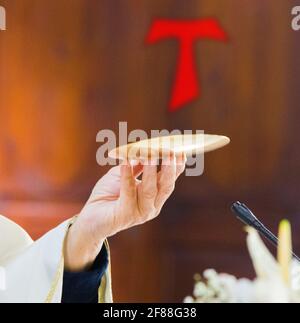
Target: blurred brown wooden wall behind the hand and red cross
pixel 71 68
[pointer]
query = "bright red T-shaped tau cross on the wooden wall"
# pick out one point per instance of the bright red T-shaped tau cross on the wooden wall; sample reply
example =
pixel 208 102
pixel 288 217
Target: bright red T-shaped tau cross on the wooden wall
pixel 186 86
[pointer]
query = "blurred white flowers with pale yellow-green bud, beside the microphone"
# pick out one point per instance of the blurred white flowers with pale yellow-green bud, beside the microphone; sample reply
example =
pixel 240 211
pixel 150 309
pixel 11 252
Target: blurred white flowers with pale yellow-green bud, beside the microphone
pixel 277 281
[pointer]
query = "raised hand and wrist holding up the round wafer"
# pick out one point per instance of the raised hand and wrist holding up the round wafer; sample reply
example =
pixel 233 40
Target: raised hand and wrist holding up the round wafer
pixel 120 201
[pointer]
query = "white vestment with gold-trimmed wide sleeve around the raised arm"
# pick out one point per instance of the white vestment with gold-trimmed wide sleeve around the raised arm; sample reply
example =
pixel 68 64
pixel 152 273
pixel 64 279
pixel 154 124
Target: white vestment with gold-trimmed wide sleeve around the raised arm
pixel 32 272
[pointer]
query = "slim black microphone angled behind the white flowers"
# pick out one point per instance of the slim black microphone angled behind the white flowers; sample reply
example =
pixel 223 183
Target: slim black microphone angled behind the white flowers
pixel 245 215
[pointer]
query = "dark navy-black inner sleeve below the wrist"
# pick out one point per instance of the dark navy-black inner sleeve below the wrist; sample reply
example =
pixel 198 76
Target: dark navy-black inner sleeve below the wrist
pixel 83 287
